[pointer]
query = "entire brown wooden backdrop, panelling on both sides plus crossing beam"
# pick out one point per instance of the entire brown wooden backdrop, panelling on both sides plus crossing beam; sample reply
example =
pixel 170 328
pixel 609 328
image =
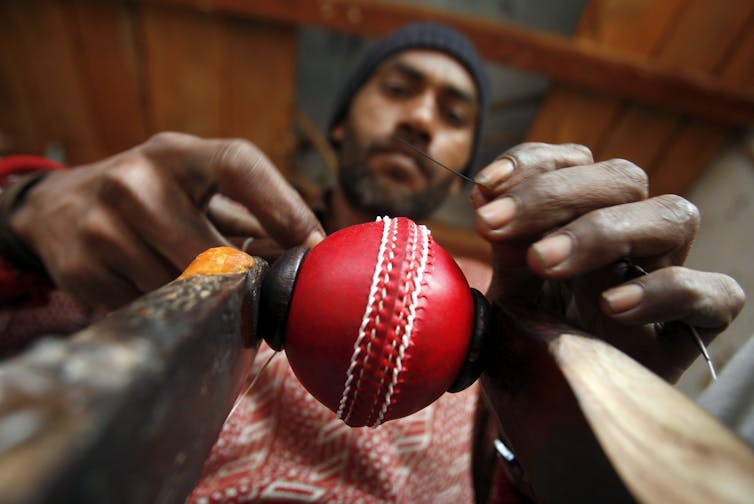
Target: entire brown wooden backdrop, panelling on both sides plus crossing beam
pixel 661 83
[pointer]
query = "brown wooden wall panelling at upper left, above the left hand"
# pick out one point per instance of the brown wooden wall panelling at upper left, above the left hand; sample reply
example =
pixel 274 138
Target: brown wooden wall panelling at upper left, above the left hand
pixel 96 77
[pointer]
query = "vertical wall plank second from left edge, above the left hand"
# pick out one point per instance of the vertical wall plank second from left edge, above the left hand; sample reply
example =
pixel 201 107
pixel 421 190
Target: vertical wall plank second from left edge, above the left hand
pixel 111 73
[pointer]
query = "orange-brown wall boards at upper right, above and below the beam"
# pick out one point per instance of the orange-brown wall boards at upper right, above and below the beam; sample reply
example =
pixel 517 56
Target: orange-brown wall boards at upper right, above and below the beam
pixel 713 39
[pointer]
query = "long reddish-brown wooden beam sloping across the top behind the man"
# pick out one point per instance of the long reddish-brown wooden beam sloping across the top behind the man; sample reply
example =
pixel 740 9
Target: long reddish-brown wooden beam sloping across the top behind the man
pixel 579 63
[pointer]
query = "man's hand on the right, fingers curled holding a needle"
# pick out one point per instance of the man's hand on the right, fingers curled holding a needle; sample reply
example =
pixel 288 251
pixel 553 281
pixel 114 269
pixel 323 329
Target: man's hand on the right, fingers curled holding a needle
pixel 566 235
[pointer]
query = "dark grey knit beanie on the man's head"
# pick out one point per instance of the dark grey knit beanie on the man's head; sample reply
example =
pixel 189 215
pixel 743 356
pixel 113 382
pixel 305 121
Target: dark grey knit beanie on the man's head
pixel 425 35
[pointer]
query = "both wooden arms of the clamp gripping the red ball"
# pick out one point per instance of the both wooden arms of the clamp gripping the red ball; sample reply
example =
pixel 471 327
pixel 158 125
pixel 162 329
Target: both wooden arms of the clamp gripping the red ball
pixel 128 409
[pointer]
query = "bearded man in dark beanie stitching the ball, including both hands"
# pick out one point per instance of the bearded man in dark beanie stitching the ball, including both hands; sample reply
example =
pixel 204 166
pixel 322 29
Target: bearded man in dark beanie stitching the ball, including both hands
pixel 558 221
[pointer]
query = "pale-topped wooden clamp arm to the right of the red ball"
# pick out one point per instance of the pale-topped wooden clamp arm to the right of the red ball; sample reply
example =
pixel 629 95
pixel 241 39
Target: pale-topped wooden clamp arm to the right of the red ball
pixel 585 421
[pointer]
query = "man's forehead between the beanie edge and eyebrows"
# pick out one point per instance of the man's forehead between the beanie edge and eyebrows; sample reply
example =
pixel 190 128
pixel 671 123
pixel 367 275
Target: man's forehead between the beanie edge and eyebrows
pixel 434 65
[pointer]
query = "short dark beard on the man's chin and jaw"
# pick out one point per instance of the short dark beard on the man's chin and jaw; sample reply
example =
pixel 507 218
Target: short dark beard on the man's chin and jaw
pixel 370 193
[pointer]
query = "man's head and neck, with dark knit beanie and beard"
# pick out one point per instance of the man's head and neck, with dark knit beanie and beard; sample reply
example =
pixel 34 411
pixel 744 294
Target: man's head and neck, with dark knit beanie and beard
pixel 406 91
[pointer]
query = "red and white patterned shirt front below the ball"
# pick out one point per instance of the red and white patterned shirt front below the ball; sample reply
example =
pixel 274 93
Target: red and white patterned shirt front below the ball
pixel 280 444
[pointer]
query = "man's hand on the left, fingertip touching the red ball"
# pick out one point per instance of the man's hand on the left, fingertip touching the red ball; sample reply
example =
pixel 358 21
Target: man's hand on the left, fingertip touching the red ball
pixel 112 230
